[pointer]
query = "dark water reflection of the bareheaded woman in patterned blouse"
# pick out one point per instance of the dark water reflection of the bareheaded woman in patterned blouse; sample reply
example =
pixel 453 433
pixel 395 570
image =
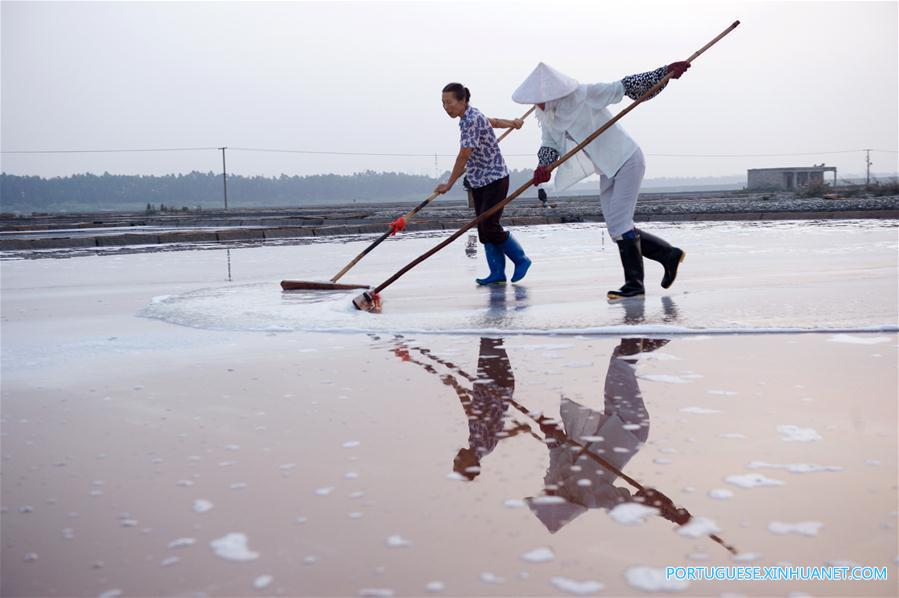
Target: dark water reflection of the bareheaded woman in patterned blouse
pixel 487 408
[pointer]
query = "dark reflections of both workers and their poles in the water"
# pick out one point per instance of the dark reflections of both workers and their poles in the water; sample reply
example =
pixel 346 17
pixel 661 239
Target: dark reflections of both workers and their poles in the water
pixel 589 449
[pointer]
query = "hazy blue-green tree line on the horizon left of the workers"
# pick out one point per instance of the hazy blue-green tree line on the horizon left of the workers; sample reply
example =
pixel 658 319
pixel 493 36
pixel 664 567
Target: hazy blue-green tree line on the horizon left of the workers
pixel 197 190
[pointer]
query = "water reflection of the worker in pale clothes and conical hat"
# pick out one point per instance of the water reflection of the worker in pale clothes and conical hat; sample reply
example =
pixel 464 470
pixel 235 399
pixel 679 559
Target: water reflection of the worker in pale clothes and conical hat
pixel 613 436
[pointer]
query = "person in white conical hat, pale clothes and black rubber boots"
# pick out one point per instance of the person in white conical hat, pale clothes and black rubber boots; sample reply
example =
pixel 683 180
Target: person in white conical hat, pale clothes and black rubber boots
pixel 568 112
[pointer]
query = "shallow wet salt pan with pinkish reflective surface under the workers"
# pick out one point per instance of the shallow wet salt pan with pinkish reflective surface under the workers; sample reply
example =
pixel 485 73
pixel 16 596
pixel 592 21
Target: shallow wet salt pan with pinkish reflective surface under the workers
pixel 174 424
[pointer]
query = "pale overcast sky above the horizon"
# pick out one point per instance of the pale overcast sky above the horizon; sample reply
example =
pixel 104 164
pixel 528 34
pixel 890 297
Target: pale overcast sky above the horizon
pixel 794 78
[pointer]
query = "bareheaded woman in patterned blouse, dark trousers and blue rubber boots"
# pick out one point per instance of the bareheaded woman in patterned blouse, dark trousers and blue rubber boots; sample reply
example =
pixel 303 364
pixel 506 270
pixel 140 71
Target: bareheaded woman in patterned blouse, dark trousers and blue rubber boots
pixel 486 173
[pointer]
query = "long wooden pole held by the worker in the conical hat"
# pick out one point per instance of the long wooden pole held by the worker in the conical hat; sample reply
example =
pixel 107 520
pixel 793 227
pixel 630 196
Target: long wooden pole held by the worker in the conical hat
pixel 367 298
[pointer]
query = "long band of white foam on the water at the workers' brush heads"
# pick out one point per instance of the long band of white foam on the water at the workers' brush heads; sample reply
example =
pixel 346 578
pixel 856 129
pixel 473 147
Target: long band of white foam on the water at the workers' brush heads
pixel 263 307
